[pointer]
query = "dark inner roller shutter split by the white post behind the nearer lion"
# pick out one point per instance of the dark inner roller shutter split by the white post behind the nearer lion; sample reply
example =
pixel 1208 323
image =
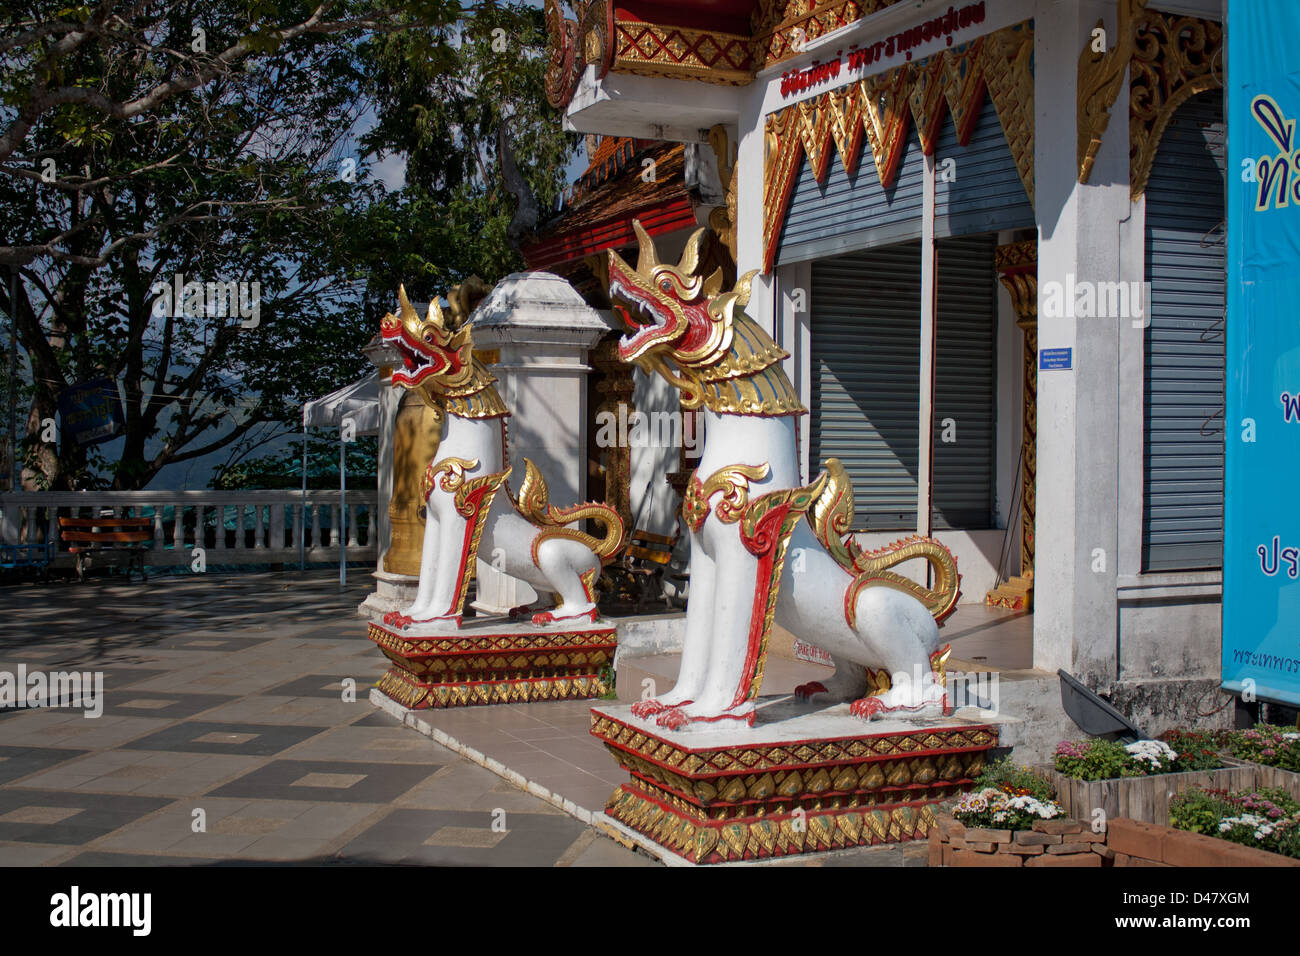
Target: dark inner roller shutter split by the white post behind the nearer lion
pixel 866 380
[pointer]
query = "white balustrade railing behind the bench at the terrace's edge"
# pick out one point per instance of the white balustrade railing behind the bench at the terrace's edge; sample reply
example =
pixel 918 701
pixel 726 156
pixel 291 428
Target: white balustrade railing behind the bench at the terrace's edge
pixel 255 527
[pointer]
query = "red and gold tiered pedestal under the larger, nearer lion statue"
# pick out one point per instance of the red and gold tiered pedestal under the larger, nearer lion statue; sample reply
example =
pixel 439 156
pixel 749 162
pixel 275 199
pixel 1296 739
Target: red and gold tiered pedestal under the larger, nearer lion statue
pixel 807 785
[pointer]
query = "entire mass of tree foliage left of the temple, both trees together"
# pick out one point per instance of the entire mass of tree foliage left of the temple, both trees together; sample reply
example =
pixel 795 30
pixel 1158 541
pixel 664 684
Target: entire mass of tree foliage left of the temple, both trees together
pixel 216 141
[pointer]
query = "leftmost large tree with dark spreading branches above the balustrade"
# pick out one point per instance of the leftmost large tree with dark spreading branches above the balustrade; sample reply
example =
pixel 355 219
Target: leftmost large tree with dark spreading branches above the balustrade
pixel 148 141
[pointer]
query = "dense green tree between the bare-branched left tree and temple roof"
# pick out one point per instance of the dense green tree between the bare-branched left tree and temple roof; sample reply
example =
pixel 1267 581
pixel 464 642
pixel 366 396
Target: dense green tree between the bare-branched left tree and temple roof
pixel 444 96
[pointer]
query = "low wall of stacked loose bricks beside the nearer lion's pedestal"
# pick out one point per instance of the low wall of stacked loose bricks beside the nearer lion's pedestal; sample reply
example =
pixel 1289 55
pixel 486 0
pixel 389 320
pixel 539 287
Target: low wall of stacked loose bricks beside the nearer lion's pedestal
pixel 1050 843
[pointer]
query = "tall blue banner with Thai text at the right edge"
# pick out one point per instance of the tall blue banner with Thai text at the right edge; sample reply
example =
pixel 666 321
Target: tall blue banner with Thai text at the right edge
pixel 1262 521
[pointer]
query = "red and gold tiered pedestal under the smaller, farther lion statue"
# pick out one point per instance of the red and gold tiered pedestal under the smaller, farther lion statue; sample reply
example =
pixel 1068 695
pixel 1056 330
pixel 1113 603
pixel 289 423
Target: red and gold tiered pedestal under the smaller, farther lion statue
pixel 493 663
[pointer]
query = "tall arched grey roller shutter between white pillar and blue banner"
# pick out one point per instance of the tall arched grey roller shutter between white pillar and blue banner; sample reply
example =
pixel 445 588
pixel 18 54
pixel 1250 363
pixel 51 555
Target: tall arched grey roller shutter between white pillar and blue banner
pixel 1185 362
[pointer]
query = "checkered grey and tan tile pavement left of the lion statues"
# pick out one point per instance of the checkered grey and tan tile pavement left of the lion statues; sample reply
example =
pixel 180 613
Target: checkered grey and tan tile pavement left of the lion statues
pixel 237 729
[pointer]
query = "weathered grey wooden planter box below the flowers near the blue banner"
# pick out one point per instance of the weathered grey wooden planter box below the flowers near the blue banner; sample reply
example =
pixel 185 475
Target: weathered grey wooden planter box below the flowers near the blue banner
pixel 1143 798
